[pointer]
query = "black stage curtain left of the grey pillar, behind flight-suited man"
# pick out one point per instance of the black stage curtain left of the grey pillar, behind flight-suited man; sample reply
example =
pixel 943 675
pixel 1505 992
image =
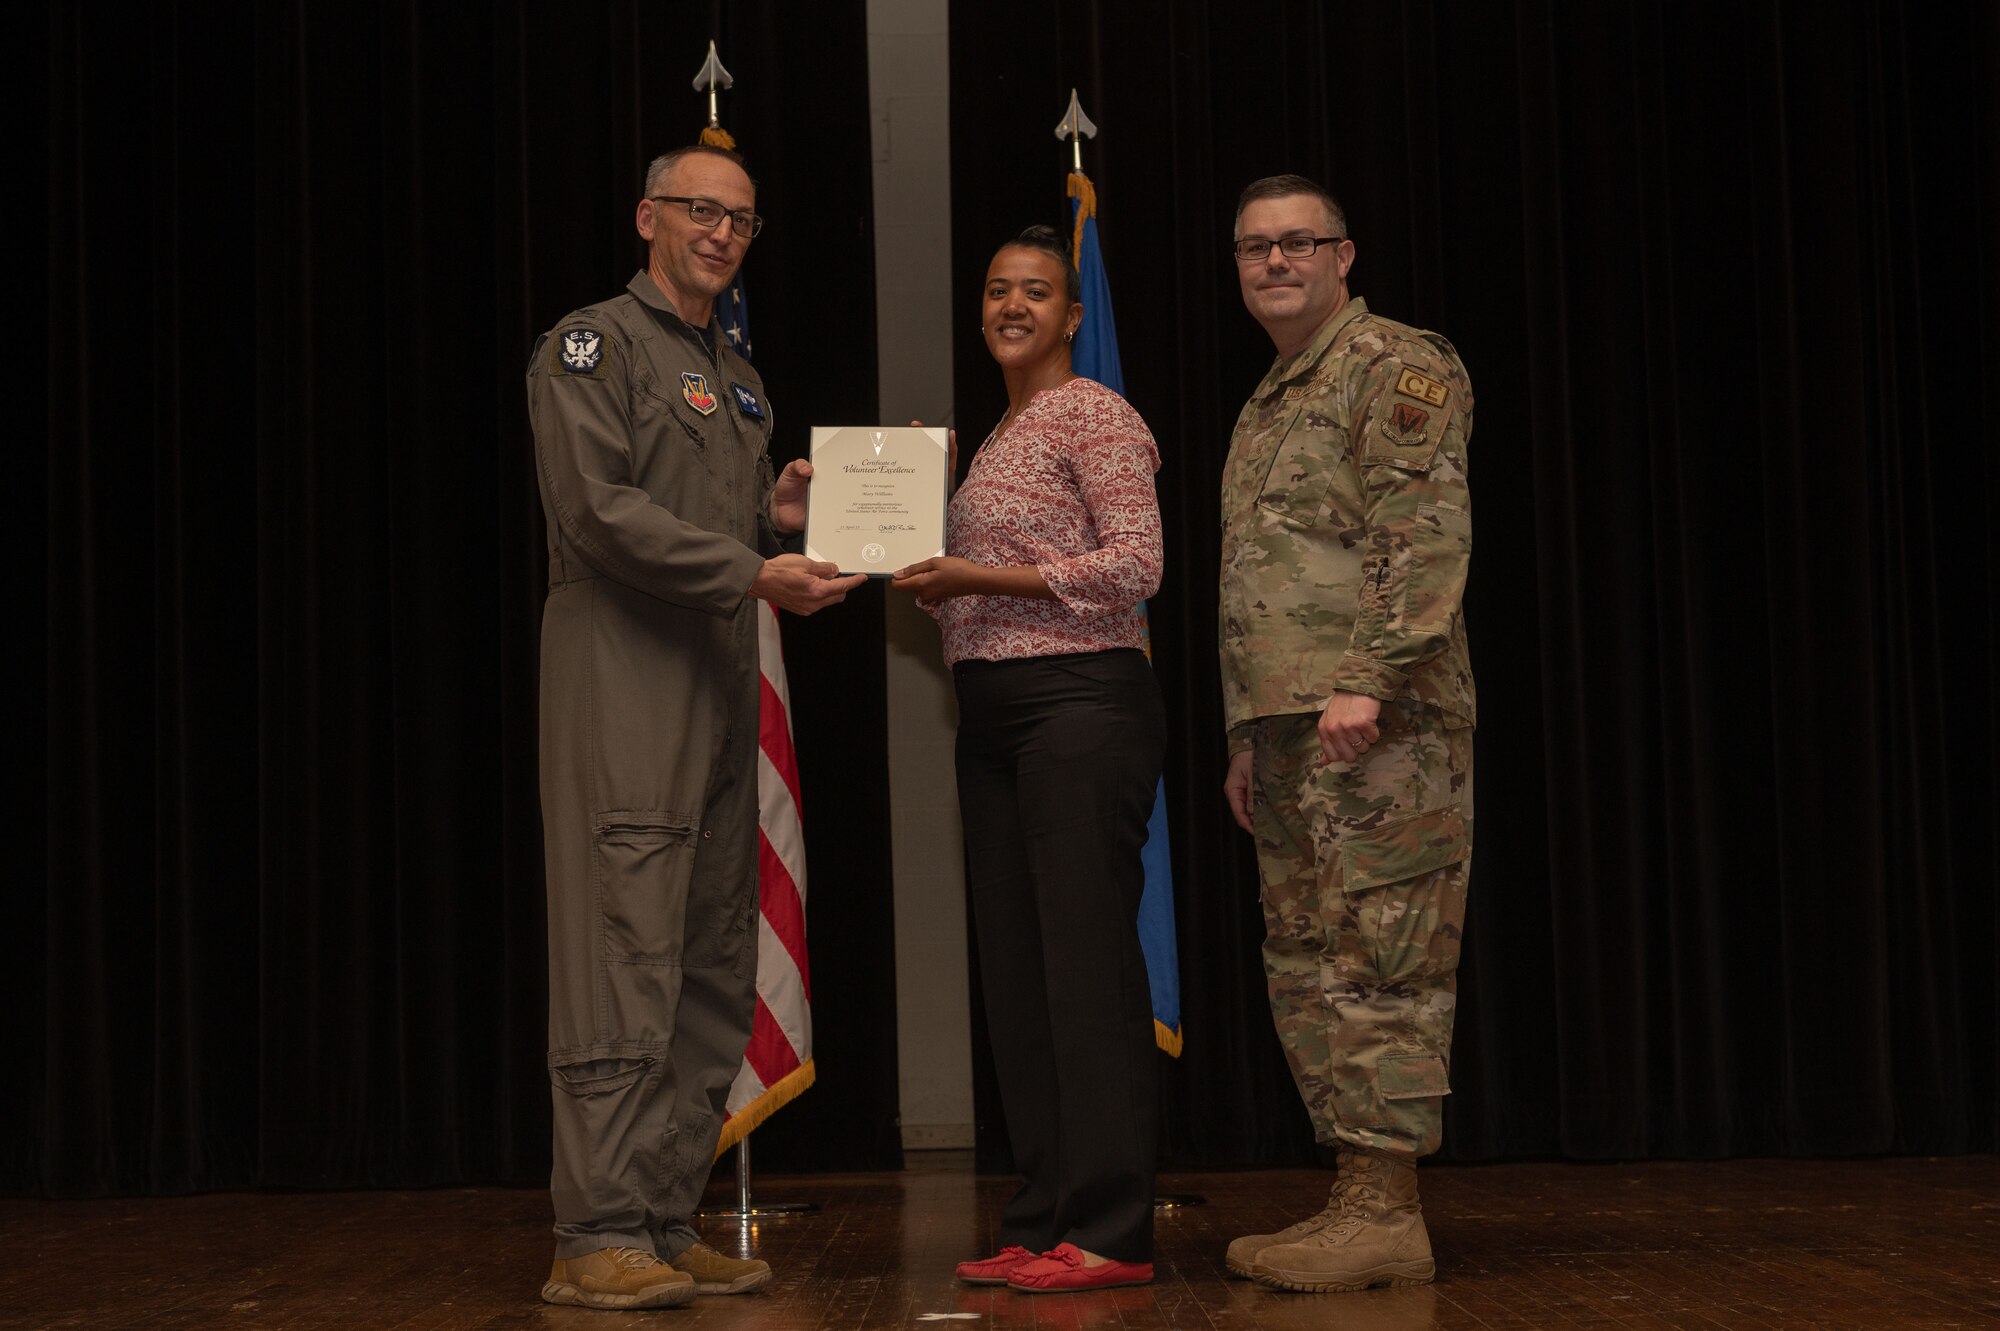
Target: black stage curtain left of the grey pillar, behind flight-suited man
pixel 283 916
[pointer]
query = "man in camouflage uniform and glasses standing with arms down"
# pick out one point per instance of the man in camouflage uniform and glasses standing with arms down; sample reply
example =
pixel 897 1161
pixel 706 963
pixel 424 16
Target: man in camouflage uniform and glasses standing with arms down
pixel 1349 696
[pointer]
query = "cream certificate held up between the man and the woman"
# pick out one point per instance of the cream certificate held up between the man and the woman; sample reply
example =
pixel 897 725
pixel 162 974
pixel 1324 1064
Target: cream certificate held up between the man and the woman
pixel 877 497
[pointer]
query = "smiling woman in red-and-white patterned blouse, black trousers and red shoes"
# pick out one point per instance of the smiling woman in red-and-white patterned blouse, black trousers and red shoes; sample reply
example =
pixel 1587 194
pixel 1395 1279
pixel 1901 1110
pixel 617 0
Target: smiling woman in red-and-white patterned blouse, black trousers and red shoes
pixel 1053 543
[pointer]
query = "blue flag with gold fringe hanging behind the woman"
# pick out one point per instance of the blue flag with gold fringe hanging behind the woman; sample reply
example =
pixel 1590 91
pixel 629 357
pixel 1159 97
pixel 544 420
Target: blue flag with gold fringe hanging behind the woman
pixel 1095 357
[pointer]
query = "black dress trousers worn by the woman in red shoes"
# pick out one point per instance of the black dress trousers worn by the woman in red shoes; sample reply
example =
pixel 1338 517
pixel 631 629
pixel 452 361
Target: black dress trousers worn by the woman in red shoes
pixel 1059 758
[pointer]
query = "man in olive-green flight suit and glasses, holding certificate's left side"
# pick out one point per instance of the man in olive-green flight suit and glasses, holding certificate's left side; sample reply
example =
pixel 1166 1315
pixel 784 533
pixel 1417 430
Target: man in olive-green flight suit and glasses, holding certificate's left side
pixel 651 447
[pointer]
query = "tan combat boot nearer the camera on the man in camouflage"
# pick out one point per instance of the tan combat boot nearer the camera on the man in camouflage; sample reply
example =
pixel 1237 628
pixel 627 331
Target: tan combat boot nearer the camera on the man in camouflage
pixel 1379 1238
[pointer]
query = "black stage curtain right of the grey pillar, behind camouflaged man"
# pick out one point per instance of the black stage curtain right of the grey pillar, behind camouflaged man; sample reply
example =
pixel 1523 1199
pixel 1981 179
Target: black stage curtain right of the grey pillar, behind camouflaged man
pixel 1727 279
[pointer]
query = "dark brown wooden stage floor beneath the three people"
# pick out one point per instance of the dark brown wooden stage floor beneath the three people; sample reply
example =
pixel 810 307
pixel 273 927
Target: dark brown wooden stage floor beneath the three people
pixel 1739 1244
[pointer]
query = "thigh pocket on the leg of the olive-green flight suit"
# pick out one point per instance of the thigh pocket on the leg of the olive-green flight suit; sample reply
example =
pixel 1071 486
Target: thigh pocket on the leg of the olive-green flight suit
pixel 643 862
